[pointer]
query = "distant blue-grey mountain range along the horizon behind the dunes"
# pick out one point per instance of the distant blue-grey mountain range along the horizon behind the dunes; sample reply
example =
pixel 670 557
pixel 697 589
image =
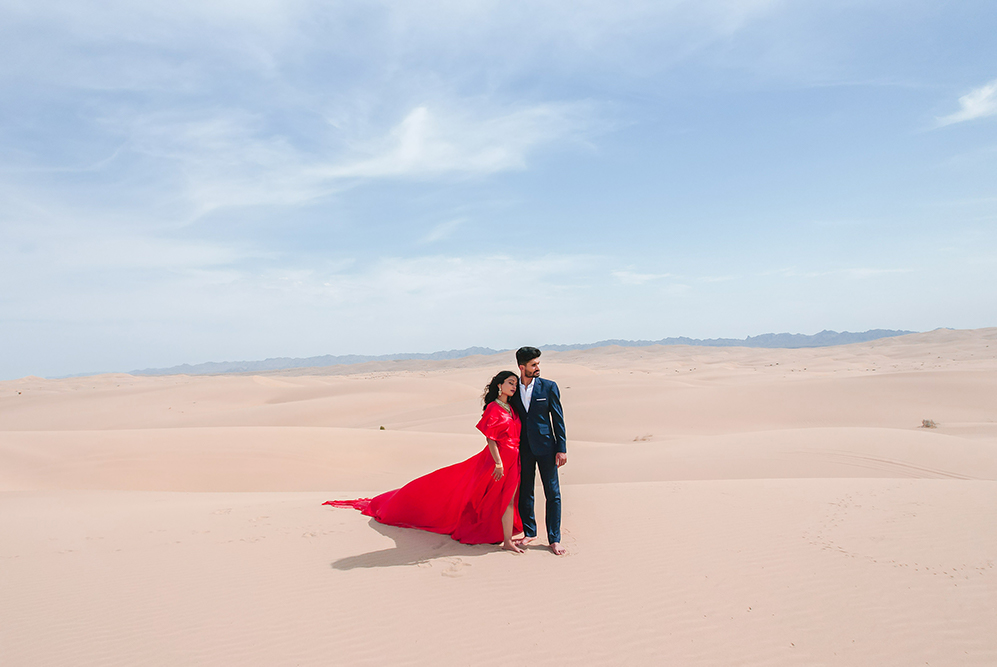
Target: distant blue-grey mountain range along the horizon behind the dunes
pixel 785 340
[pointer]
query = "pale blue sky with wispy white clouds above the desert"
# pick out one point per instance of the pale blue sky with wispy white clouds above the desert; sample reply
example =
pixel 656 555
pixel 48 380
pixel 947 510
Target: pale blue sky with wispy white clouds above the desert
pixel 193 181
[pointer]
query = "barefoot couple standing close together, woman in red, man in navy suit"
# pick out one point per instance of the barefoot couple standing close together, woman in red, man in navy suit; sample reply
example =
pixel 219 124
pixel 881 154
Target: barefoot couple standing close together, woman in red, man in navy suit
pixel 488 498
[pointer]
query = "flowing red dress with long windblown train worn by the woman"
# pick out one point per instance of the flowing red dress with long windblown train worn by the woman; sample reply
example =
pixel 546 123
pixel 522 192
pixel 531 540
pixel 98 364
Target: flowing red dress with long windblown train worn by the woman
pixel 462 500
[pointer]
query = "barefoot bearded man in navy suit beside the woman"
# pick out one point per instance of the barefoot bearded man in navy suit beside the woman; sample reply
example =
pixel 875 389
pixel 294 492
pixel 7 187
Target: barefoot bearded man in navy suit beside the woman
pixel 542 445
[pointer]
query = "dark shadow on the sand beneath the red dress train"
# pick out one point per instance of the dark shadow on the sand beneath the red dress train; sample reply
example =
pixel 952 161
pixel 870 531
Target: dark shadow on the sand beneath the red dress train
pixel 411 548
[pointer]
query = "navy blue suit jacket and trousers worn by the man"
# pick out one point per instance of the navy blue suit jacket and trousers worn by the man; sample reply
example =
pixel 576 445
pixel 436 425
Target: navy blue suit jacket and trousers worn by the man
pixel 541 439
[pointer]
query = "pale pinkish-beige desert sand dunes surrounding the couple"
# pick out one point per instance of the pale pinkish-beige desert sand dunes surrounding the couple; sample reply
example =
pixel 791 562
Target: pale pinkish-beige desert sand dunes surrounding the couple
pixel 722 506
